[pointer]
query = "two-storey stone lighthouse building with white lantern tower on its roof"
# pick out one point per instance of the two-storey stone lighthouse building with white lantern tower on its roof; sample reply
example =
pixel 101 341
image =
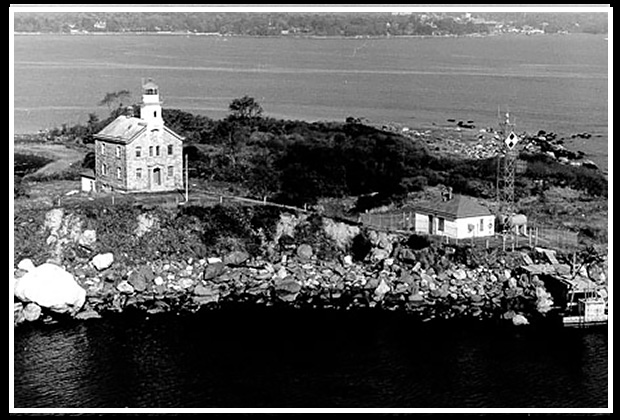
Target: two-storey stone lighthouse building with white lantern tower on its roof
pixel 139 154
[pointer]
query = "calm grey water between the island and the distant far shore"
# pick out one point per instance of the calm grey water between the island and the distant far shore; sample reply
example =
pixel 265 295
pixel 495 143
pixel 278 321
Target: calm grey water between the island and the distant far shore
pixel 556 83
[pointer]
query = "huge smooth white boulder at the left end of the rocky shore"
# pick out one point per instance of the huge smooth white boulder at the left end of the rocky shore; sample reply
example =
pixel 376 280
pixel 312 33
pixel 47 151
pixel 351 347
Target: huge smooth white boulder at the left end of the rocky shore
pixel 50 286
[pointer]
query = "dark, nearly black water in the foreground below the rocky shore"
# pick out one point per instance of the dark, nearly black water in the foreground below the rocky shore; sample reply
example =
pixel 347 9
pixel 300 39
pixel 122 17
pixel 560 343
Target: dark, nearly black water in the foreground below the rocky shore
pixel 296 358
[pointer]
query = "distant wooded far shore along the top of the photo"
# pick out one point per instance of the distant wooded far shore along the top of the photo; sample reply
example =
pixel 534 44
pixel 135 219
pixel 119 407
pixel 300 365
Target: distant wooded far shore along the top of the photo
pixel 317 24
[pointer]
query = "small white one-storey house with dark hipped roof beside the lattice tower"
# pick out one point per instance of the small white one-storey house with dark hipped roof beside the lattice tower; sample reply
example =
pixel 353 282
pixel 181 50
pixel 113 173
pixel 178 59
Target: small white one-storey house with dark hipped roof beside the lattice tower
pixel 455 216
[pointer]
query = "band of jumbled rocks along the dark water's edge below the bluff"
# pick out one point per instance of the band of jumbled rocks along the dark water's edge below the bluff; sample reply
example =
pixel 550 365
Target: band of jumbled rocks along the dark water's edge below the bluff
pixel 442 290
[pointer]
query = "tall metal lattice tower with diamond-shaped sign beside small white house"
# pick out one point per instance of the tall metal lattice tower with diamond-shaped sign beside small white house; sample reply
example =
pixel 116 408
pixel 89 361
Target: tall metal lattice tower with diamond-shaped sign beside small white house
pixel 506 182
